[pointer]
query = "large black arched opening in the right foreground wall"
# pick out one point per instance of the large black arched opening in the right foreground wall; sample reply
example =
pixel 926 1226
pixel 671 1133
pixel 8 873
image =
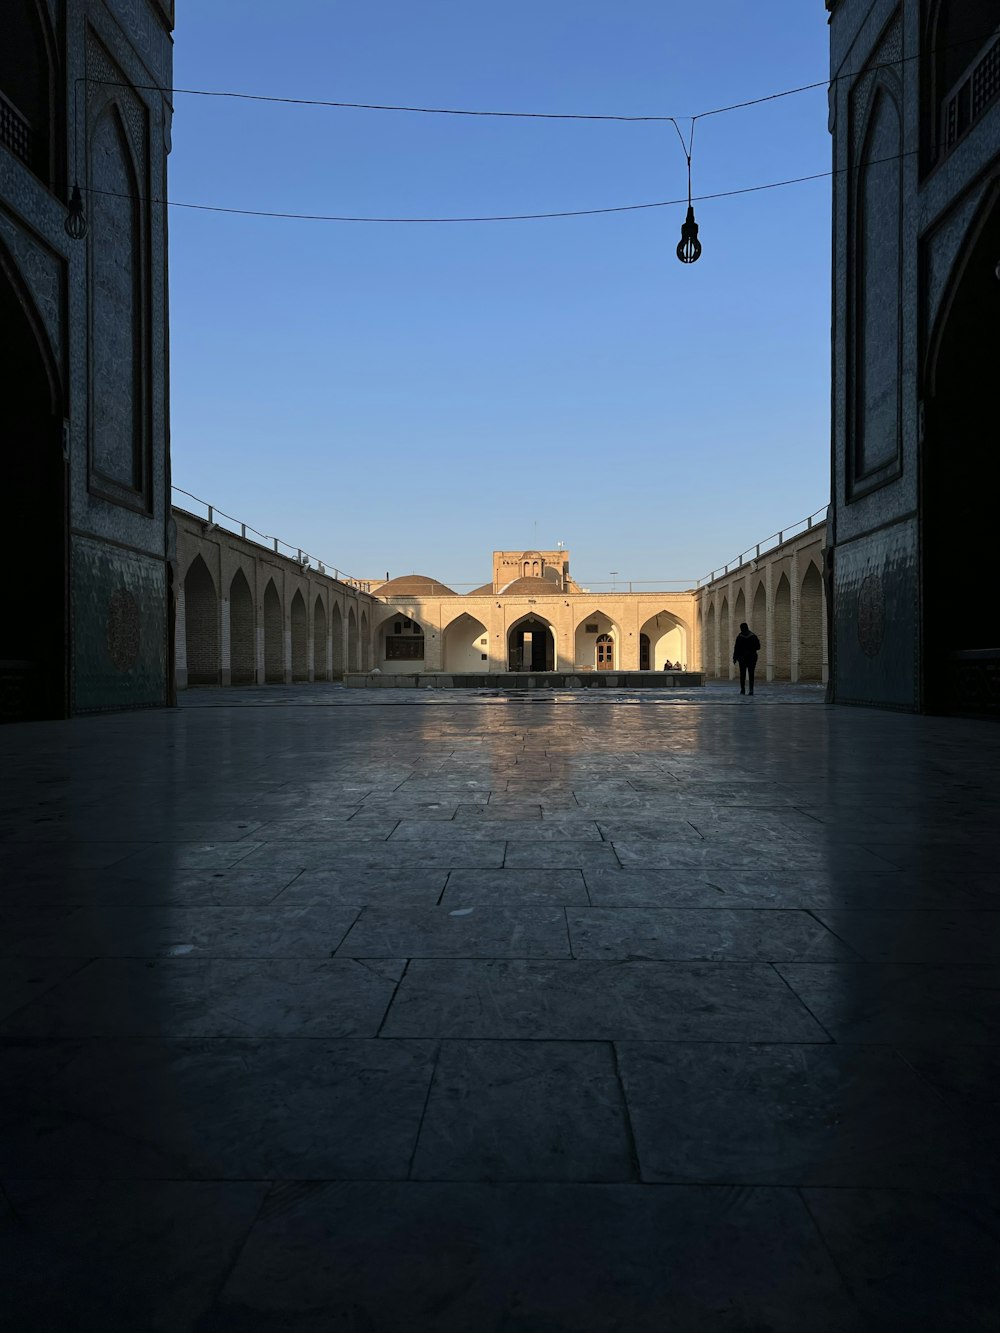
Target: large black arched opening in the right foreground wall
pixel 958 494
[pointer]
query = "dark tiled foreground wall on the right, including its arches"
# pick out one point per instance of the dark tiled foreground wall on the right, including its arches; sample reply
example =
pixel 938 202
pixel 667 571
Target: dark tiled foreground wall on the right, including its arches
pixel 915 115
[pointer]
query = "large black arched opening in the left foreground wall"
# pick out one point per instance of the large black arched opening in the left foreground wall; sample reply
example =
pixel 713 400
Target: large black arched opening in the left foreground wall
pixel 34 637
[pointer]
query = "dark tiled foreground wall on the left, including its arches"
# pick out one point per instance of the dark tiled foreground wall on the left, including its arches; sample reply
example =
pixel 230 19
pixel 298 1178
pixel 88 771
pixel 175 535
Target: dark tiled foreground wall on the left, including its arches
pixel 83 326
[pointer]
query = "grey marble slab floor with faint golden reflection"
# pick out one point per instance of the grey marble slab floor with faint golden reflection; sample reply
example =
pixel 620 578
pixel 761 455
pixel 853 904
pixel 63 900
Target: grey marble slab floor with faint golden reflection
pixel 346 1012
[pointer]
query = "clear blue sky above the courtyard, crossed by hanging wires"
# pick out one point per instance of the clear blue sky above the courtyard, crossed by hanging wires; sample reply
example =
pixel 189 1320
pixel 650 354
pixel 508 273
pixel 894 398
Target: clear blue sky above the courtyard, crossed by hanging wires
pixel 410 398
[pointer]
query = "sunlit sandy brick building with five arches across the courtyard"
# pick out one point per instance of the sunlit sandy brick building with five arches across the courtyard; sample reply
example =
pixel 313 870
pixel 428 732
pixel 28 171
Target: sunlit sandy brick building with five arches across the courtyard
pixel 531 618
